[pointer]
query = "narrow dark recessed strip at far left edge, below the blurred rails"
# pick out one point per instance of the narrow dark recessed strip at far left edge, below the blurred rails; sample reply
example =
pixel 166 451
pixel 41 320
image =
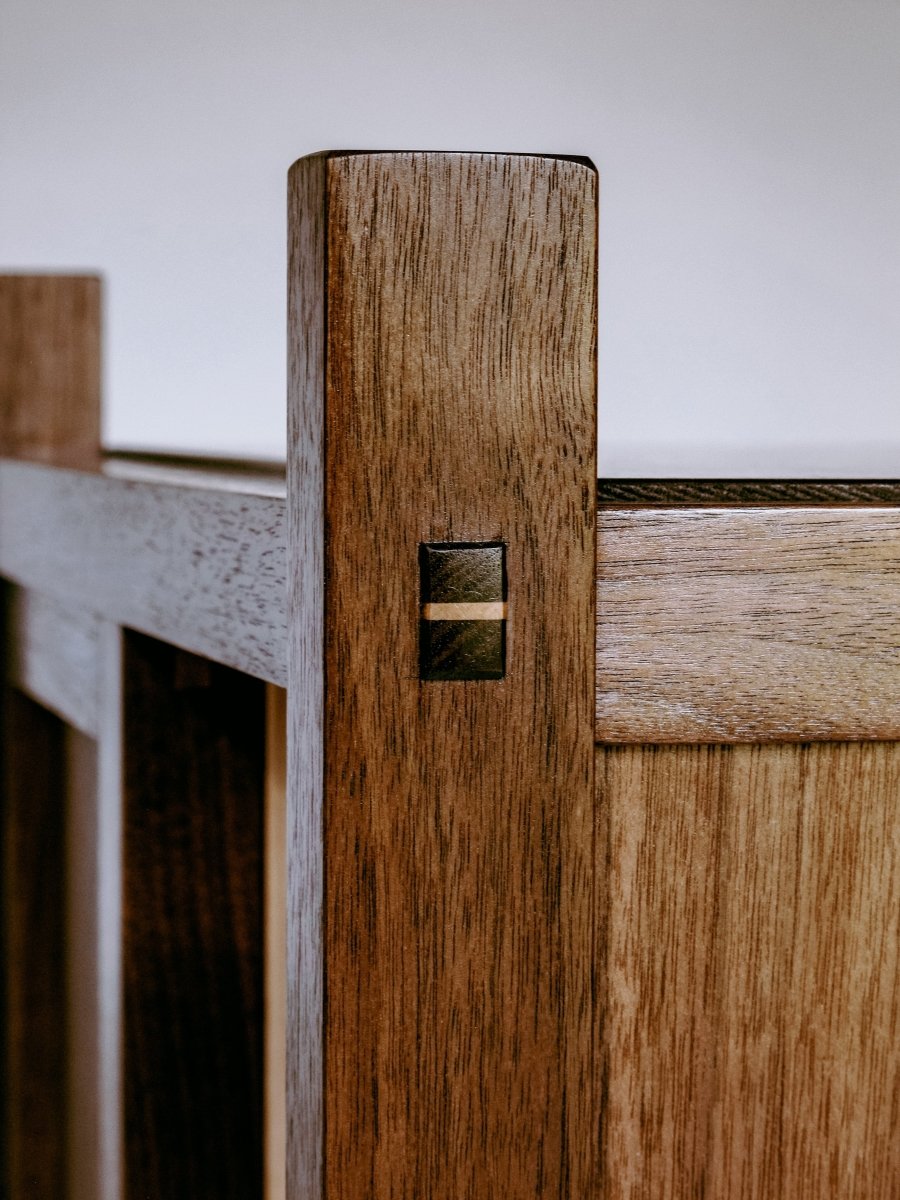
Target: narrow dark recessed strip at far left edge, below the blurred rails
pixel 34 959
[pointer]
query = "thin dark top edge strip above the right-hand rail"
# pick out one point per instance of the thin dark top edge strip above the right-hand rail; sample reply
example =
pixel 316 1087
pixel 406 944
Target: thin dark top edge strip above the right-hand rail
pixel 731 494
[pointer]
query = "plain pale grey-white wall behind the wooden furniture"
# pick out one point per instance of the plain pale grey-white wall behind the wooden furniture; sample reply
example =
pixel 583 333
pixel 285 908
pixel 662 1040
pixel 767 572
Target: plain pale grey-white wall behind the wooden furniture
pixel 751 184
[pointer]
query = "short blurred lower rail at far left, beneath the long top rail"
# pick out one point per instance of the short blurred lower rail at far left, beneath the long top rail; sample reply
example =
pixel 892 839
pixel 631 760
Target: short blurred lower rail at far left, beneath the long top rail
pixel 53 656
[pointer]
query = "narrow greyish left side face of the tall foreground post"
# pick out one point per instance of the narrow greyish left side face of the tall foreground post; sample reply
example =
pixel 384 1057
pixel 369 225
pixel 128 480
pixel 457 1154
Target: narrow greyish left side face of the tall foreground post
pixel 307 694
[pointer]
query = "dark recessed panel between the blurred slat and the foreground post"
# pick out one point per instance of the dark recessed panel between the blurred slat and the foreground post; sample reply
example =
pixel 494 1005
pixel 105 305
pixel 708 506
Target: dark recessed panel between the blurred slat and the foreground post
pixel 193 967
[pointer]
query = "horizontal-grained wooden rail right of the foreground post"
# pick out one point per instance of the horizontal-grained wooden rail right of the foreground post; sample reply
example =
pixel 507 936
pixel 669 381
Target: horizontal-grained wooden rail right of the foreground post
pixel 734 626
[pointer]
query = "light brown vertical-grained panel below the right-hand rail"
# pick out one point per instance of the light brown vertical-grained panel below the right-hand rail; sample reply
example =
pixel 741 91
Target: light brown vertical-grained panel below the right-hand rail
pixel 752 961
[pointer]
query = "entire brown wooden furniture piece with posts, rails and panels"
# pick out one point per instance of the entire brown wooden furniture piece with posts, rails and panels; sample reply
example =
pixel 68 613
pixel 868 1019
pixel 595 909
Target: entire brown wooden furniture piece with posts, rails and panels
pixel 285 917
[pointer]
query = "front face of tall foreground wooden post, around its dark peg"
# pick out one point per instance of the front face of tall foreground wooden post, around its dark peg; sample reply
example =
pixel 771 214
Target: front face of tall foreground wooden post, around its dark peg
pixel 460 406
